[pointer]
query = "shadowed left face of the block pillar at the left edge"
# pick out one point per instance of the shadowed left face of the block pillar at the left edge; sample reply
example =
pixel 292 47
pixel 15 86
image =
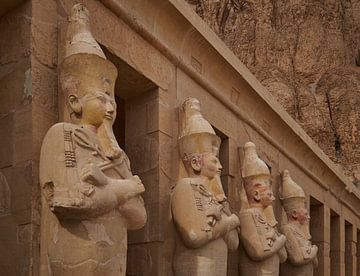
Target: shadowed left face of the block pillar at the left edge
pixel 16 141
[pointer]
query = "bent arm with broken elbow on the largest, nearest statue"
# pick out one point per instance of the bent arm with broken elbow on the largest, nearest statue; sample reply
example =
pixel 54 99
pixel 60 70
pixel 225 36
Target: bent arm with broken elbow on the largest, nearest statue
pixel 70 197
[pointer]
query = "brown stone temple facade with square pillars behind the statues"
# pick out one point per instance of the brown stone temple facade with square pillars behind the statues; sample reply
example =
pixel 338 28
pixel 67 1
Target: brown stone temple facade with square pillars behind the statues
pixel 166 43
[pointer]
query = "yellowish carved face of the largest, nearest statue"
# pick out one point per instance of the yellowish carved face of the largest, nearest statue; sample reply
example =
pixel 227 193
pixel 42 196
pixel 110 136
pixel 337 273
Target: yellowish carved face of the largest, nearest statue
pixel 96 108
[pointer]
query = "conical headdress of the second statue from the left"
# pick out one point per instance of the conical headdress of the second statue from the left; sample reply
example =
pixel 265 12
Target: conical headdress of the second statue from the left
pixel 197 134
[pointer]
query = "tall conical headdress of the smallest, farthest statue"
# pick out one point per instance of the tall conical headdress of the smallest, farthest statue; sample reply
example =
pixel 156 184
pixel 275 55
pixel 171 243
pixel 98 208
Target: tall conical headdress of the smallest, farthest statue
pixel 291 194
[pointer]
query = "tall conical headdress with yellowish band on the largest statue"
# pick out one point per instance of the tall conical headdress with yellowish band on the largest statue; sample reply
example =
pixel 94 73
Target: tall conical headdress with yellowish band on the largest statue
pixel 85 64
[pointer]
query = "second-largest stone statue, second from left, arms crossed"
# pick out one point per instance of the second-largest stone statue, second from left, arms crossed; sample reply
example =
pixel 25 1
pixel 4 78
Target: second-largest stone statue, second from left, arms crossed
pixel 206 228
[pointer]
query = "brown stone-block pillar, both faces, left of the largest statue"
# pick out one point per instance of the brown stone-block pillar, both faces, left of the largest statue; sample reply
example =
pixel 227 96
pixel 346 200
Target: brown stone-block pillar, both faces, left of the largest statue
pixel 28 106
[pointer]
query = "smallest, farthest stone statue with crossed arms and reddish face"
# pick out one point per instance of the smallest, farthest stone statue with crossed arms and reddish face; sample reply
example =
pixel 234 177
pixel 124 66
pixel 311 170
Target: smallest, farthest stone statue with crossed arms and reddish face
pixel 302 255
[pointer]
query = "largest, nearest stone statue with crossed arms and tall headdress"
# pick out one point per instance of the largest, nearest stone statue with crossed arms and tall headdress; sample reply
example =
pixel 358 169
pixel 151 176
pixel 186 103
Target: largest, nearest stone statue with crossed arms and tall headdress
pixel 90 198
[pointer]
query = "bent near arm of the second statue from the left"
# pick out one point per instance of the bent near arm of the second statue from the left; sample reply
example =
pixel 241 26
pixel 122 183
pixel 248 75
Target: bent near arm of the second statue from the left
pixel 188 223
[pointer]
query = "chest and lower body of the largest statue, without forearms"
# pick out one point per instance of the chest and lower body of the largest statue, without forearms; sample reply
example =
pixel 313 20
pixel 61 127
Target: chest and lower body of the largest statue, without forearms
pixel 96 245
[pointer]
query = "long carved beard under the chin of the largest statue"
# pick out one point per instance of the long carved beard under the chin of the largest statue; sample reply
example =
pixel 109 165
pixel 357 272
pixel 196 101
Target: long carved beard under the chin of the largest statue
pixel 108 141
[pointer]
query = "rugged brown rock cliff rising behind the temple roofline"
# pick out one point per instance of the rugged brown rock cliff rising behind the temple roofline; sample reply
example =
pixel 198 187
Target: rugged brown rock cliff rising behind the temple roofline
pixel 306 52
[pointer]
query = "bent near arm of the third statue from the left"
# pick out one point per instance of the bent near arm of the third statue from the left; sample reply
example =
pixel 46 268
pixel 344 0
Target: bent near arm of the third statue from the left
pixel 252 242
